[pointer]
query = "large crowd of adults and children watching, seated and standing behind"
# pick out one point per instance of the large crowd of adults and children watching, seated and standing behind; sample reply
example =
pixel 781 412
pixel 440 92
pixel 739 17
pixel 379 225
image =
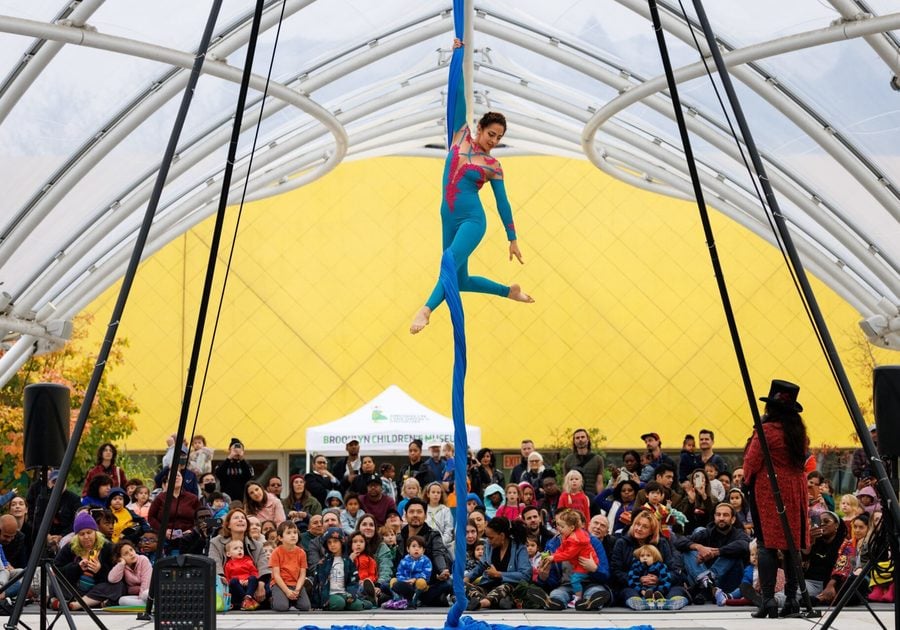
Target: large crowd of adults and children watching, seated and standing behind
pixel 650 533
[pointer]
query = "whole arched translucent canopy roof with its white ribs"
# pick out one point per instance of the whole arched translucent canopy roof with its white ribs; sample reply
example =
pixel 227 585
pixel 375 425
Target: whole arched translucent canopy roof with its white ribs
pixel 90 90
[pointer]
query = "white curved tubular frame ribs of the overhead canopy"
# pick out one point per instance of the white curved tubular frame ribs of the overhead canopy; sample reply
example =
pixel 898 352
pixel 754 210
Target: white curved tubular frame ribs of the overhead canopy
pixel 855 263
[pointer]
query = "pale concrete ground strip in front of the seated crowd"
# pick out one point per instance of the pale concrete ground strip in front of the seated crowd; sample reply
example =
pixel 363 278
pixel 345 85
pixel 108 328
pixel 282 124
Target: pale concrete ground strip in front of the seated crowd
pixel 692 617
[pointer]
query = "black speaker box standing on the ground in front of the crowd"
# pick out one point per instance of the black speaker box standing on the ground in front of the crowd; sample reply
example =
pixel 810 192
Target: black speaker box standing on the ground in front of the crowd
pixel 185 593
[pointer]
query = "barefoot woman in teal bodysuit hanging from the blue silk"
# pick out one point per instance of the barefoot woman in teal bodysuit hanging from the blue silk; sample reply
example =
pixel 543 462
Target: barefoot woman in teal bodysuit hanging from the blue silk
pixel 468 165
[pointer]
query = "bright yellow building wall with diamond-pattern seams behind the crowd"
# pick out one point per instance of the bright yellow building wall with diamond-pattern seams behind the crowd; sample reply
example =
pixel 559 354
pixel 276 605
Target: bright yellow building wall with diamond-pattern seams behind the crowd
pixel 627 333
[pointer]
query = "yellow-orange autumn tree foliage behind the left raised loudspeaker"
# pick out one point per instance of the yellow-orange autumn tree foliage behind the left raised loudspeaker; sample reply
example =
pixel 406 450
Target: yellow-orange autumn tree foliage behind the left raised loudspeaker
pixel 110 420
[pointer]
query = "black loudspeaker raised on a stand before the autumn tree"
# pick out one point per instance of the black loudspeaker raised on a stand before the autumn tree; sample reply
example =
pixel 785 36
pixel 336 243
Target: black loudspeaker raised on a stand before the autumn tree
pixel 46 424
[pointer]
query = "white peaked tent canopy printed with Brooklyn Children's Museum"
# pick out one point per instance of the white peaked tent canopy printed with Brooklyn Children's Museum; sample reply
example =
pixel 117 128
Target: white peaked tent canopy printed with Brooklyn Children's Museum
pixel 385 426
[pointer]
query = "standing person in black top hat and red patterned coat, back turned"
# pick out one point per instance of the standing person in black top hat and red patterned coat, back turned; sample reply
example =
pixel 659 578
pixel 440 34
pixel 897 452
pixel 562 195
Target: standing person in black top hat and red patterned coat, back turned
pixel 786 438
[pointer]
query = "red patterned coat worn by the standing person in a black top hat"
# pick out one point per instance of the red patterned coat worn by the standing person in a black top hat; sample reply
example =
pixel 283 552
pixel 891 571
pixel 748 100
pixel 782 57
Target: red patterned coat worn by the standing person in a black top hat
pixel 791 482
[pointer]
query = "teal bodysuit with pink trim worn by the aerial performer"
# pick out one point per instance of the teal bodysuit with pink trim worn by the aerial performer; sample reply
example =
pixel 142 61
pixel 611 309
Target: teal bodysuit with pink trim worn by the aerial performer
pixel 463 221
